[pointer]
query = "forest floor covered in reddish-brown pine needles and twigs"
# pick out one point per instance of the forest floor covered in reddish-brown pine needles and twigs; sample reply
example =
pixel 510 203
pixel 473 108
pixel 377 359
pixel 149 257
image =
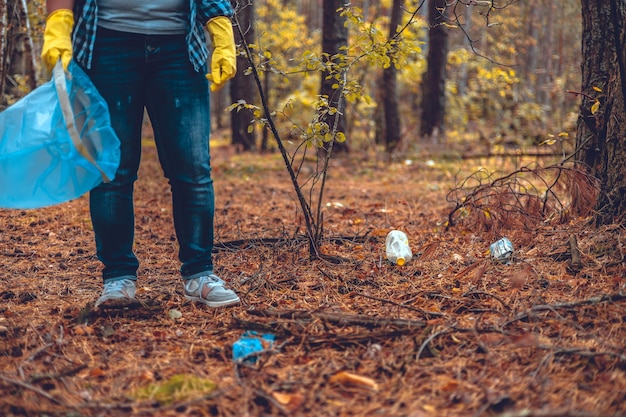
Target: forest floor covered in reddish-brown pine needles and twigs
pixel 452 333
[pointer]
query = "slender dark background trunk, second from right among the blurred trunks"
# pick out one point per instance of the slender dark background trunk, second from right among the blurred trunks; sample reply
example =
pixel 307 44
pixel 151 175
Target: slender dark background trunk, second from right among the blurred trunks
pixel 388 86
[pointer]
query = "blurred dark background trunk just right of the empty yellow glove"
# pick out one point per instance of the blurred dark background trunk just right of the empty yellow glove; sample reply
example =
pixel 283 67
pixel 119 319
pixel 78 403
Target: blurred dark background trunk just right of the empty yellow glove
pixel 242 86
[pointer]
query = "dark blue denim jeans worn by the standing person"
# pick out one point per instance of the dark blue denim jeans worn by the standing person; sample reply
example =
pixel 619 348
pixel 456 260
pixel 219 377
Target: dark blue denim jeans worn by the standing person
pixel 135 72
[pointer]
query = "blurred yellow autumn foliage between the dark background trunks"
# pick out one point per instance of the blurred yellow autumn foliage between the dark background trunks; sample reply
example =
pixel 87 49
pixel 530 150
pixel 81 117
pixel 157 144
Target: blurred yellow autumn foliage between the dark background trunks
pixel 507 74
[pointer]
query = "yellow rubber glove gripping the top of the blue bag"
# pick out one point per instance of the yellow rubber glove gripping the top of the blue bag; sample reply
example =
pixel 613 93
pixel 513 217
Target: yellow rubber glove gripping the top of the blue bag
pixel 57 38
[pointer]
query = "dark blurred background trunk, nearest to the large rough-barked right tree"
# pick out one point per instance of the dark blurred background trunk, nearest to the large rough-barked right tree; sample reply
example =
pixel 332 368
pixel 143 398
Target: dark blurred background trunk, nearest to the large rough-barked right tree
pixel 434 82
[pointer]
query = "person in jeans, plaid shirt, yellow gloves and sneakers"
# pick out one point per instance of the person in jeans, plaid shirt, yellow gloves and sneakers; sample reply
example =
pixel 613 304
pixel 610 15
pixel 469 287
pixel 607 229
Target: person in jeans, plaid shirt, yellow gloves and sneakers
pixel 152 56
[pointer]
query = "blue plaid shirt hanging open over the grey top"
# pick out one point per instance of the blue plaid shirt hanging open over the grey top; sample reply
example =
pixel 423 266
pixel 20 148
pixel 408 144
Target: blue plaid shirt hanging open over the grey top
pixel 200 12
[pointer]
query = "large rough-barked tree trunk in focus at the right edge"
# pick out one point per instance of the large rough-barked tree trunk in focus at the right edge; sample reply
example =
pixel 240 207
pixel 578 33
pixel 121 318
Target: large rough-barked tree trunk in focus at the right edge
pixel 602 126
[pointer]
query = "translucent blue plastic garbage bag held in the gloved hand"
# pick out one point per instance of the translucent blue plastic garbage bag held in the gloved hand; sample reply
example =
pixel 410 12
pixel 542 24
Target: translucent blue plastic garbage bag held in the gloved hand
pixel 56 143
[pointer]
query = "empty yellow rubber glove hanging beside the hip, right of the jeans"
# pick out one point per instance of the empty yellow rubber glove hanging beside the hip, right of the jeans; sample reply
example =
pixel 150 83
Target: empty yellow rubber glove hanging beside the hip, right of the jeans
pixel 223 61
